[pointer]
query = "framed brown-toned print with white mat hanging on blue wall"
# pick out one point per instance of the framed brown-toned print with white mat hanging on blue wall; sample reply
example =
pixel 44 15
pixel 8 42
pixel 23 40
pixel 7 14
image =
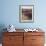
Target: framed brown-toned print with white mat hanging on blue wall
pixel 26 13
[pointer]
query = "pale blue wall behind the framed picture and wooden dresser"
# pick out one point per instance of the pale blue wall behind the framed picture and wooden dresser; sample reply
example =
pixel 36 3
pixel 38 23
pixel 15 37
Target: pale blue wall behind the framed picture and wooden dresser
pixel 10 13
